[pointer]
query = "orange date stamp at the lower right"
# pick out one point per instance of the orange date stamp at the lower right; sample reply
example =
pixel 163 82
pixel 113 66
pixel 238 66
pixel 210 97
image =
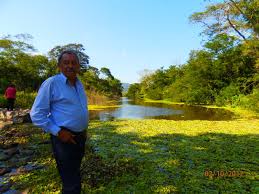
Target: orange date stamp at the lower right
pixel 224 173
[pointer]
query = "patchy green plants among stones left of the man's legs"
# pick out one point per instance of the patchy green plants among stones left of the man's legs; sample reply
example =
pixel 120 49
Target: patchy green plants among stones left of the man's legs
pixel 33 139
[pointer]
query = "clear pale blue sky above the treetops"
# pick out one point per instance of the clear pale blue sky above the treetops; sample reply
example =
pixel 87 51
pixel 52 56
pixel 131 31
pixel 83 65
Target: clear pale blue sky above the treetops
pixel 126 36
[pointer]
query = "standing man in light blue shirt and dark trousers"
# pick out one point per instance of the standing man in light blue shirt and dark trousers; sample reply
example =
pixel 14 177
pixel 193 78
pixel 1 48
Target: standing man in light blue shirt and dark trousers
pixel 60 108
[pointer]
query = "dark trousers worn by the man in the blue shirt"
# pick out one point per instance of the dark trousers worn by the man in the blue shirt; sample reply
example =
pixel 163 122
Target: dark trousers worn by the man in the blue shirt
pixel 68 159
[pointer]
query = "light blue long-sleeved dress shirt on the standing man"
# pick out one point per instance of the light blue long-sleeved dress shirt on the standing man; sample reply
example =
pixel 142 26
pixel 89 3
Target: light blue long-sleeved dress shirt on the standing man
pixel 60 104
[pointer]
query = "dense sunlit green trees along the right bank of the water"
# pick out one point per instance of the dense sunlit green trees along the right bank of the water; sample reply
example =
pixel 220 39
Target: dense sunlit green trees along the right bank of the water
pixel 205 77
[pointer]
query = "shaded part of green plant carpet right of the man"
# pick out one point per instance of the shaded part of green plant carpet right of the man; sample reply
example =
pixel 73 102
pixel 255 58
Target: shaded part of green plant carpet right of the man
pixel 173 163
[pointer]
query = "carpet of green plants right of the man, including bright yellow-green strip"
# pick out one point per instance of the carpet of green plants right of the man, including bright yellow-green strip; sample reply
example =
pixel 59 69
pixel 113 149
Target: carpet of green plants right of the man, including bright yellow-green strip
pixel 177 158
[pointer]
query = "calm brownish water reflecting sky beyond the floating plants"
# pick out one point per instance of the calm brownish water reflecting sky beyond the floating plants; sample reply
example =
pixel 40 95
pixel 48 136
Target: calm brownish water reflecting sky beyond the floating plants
pixel 140 110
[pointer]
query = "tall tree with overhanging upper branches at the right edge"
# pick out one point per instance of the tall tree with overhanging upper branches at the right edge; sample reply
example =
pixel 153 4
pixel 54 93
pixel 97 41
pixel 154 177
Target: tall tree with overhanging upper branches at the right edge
pixel 239 18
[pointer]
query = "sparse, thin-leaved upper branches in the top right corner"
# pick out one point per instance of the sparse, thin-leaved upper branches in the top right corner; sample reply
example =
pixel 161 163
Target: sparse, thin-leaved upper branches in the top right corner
pixel 234 17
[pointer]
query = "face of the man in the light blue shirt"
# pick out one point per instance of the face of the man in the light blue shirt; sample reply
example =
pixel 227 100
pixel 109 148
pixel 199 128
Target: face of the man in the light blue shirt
pixel 69 66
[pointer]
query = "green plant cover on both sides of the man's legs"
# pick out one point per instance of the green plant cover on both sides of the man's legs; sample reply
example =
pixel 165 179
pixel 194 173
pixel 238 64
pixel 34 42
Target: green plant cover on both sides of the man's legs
pixel 159 156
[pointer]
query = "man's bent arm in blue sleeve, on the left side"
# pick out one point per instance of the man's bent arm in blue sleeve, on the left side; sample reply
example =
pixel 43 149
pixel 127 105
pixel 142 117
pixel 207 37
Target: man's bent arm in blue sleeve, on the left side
pixel 41 109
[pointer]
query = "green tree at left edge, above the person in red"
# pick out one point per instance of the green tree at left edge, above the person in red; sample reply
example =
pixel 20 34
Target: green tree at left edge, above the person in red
pixel 18 65
